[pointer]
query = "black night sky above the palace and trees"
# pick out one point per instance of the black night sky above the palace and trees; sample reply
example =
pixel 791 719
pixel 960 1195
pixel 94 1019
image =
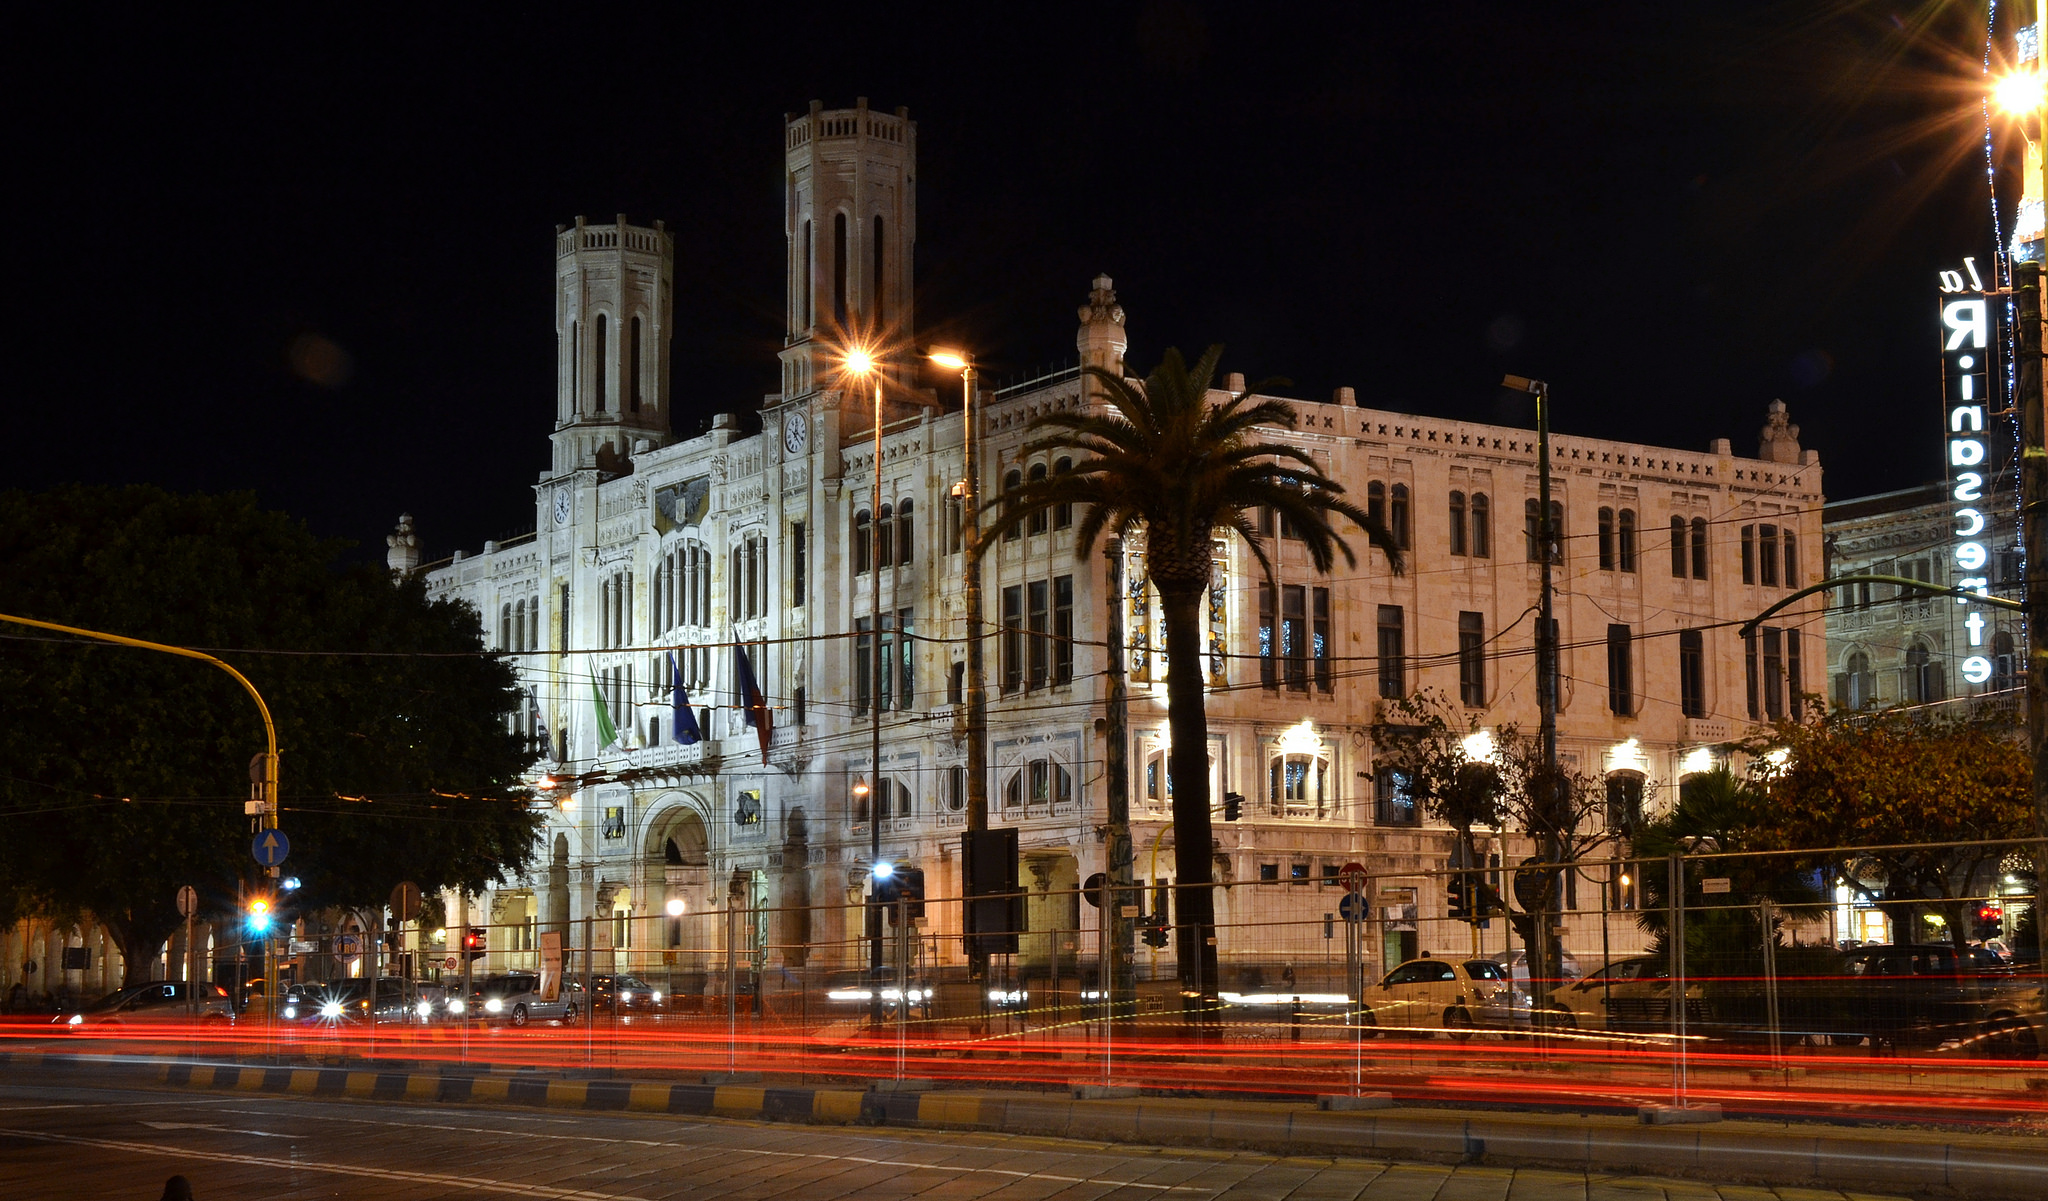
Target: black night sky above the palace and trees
pixel 1672 212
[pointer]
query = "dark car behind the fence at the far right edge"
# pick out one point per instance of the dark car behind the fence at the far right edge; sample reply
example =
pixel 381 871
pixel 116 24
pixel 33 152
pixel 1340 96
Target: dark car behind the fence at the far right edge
pixel 1924 995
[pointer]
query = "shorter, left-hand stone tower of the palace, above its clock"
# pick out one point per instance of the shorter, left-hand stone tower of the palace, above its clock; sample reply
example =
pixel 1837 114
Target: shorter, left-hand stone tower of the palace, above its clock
pixel 613 288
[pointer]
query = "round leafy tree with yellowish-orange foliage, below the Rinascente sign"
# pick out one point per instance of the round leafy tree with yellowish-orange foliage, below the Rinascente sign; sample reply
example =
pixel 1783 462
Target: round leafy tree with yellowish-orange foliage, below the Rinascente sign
pixel 1910 788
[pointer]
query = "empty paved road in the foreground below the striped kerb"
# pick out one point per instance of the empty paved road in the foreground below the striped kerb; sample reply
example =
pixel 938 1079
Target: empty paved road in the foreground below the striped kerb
pixel 124 1143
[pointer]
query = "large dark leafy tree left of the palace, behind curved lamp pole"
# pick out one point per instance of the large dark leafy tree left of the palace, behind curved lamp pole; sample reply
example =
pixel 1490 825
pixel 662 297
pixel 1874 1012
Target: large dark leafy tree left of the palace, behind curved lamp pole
pixel 128 770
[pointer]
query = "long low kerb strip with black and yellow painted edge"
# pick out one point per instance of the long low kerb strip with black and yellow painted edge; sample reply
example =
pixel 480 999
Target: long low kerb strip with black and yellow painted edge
pixel 1762 1153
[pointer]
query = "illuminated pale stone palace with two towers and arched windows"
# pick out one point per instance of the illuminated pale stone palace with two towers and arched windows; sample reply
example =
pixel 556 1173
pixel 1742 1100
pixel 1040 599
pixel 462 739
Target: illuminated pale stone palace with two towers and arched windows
pixel 648 546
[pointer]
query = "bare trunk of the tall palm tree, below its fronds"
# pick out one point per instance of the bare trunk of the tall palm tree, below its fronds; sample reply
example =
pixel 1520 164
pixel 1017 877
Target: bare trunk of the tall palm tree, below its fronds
pixel 1189 770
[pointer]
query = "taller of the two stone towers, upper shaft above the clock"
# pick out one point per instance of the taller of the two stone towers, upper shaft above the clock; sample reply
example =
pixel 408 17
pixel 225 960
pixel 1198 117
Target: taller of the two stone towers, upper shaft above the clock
pixel 851 218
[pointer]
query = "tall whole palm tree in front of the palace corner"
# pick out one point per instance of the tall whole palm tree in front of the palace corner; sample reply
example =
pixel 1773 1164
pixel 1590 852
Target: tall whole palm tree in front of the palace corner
pixel 1170 460
